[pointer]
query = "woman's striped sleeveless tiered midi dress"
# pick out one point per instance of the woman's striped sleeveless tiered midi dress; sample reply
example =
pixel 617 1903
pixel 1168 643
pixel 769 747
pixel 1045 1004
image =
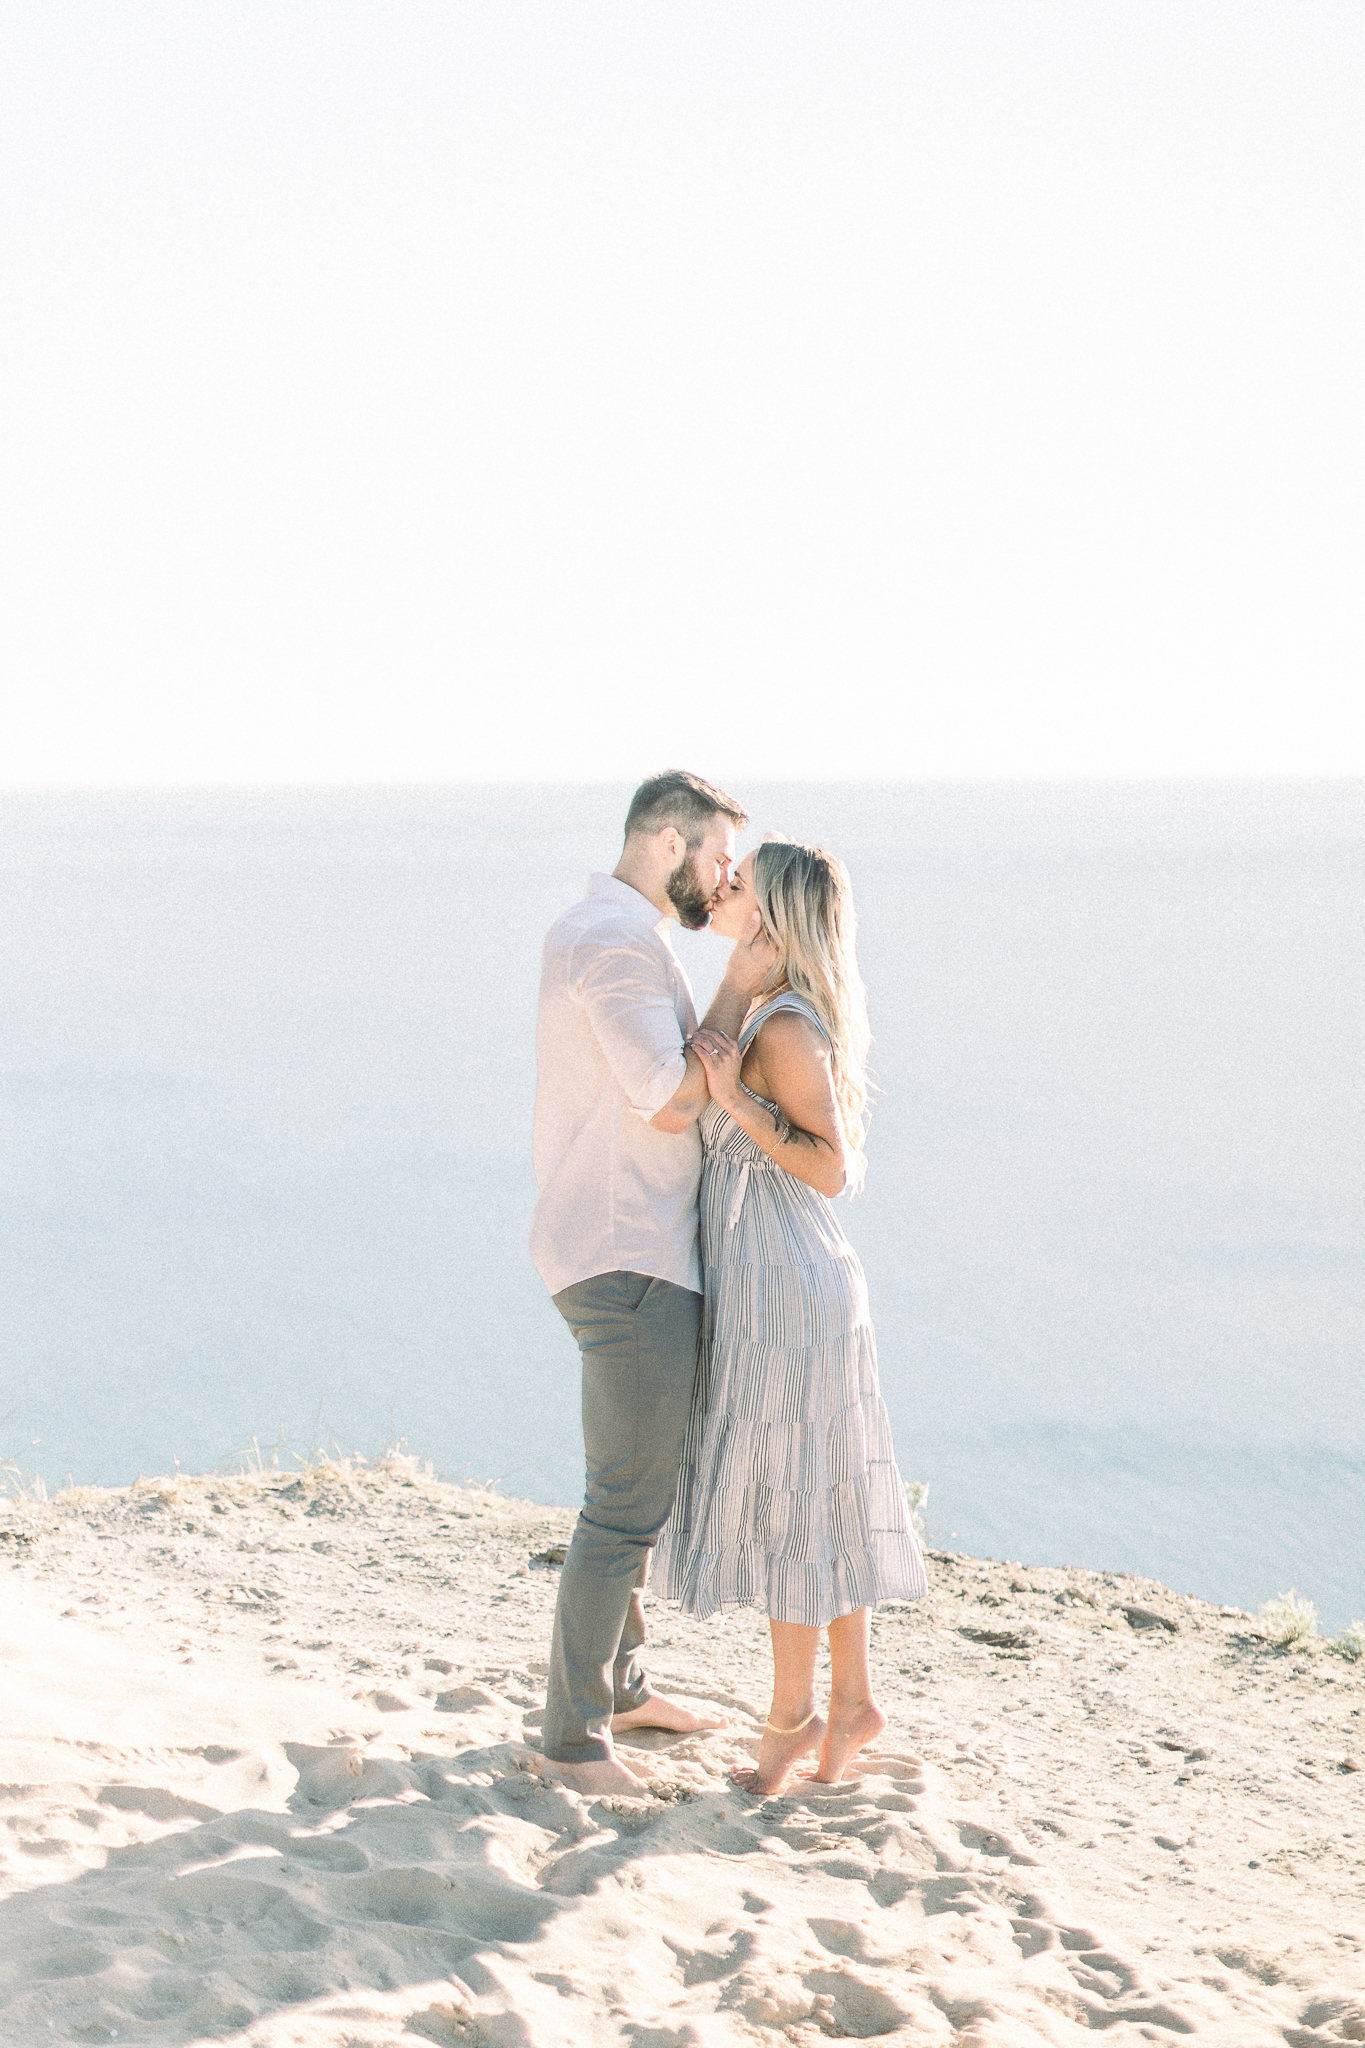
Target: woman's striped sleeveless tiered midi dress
pixel 789 1494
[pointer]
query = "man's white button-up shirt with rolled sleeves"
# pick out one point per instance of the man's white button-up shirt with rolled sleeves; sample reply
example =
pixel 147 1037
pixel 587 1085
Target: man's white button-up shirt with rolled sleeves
pixel 615 1011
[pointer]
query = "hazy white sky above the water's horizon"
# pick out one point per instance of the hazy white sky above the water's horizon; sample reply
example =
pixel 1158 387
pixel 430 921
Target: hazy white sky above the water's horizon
pixel 404 392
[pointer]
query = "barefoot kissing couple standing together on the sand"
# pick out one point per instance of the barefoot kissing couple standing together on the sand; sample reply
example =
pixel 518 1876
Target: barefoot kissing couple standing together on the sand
pixel 732 1408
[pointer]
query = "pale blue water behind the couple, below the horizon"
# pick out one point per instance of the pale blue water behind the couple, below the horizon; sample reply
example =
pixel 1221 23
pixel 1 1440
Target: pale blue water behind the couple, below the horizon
pixel 267 1078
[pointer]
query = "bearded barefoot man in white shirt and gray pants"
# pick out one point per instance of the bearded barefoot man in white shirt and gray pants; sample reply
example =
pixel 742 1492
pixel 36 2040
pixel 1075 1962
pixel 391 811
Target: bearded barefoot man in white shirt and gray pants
pixel 615 1238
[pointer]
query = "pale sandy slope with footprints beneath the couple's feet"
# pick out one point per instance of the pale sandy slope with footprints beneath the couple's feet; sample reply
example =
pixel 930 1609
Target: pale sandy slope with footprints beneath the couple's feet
pixel 265 1781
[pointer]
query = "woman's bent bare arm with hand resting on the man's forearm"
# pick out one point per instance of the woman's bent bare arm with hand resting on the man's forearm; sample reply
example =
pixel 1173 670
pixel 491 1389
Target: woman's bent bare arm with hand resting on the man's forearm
pixel 797 1076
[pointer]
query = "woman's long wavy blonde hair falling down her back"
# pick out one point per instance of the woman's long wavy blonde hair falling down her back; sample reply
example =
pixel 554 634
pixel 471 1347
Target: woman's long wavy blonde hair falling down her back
pixel 807 906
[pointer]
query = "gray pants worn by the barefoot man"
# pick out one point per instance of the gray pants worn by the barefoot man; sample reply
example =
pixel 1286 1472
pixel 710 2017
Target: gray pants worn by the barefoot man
pixel 640 1345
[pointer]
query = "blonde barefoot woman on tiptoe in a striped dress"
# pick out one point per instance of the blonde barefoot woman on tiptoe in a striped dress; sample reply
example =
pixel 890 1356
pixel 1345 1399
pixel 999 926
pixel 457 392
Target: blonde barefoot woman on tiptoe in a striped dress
pixel 789 1494
